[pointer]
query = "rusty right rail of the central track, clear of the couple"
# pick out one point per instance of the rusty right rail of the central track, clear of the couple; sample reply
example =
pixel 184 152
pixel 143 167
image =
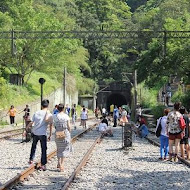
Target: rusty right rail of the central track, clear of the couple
pixel 81 164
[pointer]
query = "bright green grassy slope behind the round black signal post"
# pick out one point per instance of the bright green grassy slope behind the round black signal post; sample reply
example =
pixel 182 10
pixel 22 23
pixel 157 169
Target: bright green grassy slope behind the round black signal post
pixel 18 95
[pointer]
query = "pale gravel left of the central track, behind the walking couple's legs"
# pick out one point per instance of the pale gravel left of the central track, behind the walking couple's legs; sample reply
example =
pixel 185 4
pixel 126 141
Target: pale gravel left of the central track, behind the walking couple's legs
pixel 14 155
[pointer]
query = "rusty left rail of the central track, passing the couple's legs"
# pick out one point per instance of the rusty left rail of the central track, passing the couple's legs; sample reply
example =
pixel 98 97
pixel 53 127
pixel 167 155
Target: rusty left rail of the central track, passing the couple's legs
pixel 24 174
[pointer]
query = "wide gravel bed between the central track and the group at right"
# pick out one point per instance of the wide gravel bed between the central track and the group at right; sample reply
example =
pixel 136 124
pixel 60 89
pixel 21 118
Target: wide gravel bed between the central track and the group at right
pixel 139 168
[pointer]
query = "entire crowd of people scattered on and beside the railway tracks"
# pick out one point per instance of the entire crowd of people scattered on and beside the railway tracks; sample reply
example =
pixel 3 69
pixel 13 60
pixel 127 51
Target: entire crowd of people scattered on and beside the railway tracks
pixel 168 126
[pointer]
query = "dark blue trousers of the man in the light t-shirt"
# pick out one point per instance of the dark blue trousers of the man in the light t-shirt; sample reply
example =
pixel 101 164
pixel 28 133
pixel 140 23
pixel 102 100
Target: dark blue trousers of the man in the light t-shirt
pixel 43 142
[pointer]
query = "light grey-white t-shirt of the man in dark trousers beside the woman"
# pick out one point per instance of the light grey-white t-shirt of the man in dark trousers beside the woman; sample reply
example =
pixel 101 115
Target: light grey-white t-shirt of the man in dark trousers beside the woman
pixel 40 126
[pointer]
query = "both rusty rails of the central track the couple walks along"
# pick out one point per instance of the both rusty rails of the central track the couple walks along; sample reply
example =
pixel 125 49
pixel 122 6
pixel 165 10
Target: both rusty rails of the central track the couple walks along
pixel 23 175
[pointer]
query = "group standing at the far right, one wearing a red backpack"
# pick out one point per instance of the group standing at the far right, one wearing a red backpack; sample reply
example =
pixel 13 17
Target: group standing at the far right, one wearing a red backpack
pixel 175 131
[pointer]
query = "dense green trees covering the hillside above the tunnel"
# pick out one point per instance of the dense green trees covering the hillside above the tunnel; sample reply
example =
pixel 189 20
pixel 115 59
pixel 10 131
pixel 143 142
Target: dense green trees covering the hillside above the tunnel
pixel 90 62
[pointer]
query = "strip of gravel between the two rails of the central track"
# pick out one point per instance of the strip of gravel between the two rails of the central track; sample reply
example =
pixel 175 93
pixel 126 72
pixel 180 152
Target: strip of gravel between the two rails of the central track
pixel 52 178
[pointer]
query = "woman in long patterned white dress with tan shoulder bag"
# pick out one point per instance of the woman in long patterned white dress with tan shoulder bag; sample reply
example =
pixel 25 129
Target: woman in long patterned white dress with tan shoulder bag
pixel 64 147
